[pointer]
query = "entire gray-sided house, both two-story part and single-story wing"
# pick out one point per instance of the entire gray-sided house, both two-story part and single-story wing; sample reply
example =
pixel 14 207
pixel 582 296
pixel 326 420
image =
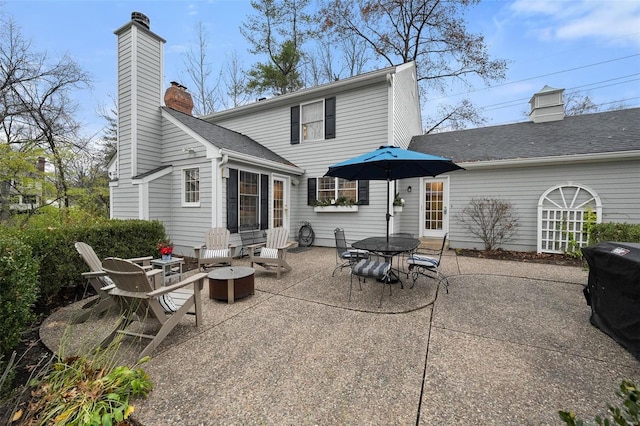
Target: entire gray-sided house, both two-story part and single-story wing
pixel 261 165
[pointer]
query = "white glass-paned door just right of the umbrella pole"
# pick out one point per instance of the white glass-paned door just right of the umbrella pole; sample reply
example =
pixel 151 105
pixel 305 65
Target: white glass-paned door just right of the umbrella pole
pixel 434 202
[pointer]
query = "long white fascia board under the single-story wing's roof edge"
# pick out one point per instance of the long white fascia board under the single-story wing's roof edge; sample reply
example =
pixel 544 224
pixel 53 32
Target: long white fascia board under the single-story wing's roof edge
pixel 561 159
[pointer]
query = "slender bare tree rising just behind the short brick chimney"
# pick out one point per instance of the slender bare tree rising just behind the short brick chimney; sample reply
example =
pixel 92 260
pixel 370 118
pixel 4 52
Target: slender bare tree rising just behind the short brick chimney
pixel 199 69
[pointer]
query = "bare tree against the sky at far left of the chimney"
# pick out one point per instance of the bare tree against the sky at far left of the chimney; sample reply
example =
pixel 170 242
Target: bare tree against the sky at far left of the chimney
pixel 37 112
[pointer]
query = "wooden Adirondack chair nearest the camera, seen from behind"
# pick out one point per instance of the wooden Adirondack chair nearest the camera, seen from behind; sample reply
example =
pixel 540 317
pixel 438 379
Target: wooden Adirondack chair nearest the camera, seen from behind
pixel 137 299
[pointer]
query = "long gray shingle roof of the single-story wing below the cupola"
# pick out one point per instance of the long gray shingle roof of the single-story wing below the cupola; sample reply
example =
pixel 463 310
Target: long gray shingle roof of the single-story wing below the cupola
pixel 613 131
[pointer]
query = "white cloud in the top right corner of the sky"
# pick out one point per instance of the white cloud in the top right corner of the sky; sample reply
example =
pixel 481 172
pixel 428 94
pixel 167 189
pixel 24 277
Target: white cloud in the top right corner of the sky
pixel 611 22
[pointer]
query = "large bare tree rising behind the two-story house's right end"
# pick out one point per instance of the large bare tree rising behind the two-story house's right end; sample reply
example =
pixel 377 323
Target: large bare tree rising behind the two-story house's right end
pixel 430 32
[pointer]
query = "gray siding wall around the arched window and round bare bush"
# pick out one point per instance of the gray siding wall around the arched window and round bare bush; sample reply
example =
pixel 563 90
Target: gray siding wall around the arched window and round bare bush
pixel 617 185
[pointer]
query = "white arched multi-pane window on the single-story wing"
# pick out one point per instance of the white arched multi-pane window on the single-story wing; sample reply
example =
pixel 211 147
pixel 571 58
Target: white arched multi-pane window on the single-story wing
pixel 562 215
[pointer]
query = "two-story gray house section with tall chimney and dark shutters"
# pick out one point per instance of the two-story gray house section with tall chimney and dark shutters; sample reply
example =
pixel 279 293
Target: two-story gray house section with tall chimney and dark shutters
pixel 255 166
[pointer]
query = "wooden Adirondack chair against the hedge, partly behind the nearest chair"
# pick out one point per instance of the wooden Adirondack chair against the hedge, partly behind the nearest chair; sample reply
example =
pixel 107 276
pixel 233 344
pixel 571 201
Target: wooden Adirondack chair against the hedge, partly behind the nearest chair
pixel 99 281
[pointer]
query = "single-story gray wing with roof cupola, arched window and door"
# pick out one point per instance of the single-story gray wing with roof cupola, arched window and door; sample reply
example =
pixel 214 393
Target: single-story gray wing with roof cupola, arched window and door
pixel 552 169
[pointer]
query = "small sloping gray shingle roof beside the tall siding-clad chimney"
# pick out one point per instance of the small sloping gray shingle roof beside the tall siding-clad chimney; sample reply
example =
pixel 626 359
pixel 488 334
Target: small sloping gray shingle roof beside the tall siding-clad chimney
pixel 227 139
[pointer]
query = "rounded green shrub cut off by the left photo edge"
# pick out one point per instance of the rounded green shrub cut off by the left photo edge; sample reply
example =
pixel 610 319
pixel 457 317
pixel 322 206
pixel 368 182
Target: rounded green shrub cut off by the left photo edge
pixel 18 292
